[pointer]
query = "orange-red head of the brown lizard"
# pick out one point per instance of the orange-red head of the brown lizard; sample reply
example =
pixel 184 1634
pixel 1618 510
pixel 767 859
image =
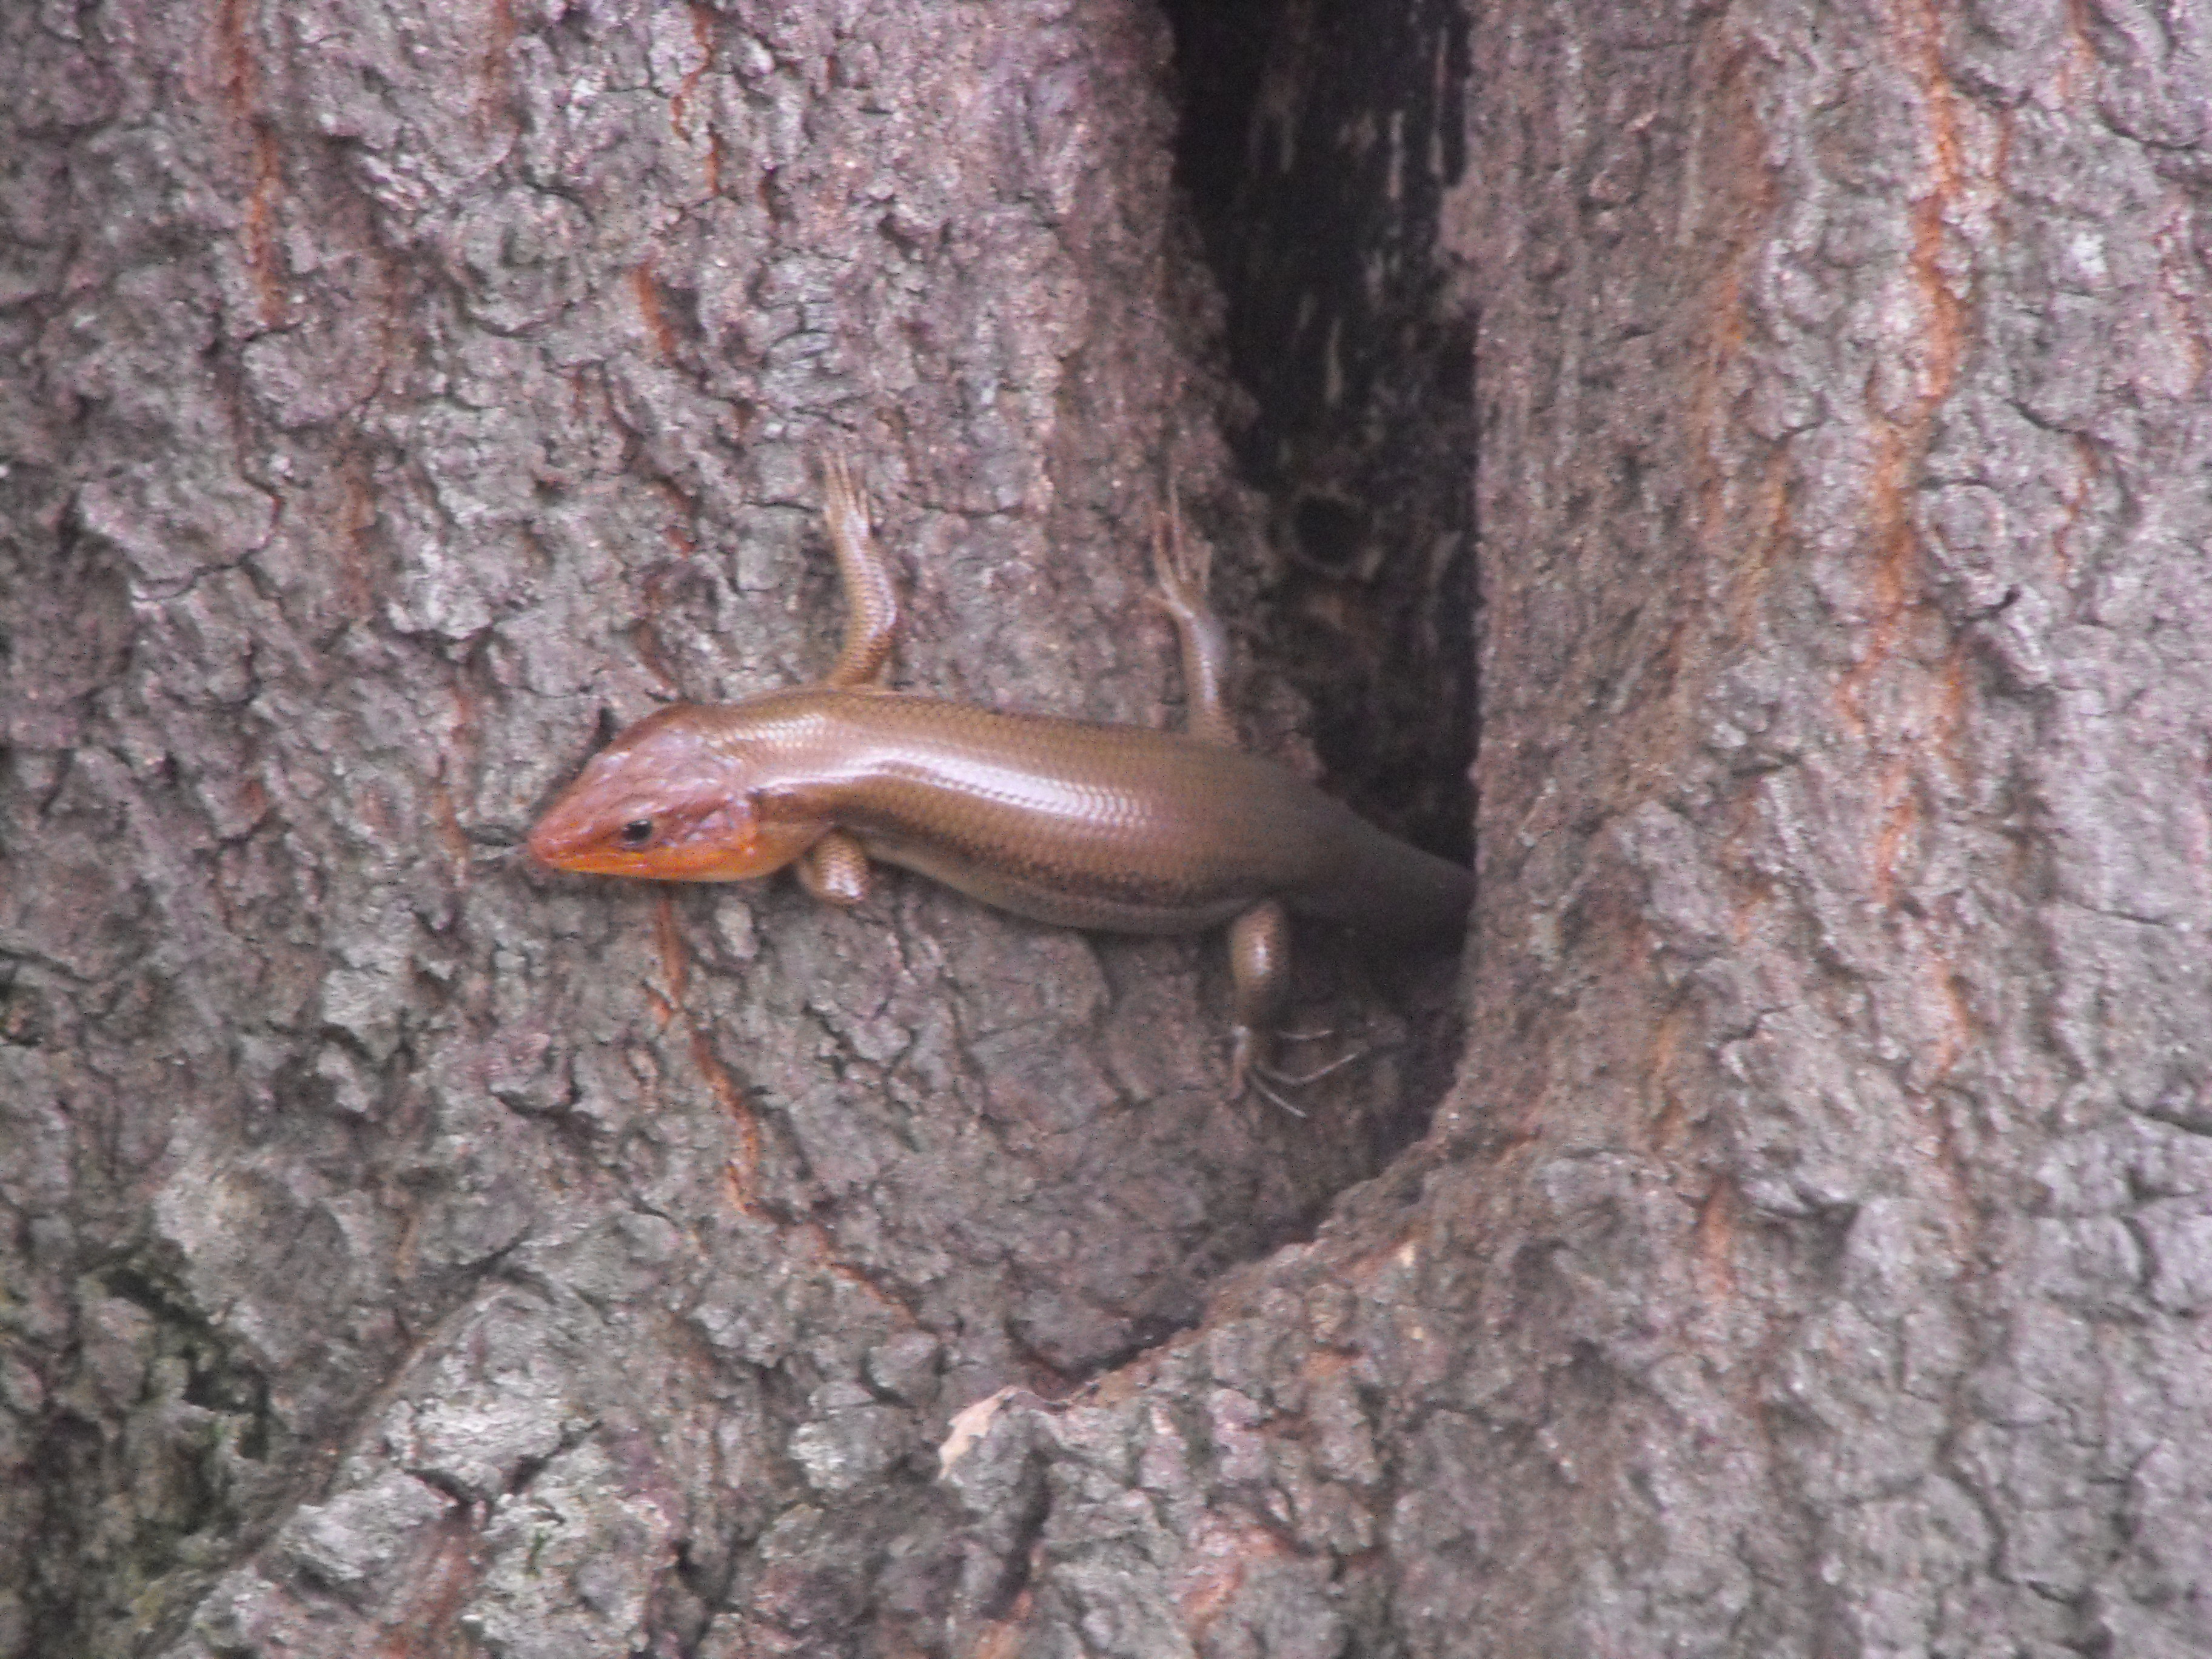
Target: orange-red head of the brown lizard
pixel 667 804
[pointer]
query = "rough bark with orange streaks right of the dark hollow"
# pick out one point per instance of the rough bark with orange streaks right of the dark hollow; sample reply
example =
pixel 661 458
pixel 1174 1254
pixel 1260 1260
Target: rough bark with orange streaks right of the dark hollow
pixel 1813 1255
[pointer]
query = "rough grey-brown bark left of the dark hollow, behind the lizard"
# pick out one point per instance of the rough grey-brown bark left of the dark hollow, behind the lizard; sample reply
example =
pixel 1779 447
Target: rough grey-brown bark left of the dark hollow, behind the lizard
pixel 417 1251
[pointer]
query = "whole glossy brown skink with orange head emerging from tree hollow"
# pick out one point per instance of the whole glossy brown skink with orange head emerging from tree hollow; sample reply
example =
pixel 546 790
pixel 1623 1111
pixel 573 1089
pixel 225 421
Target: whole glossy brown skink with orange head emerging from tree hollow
pixel 1065 822
